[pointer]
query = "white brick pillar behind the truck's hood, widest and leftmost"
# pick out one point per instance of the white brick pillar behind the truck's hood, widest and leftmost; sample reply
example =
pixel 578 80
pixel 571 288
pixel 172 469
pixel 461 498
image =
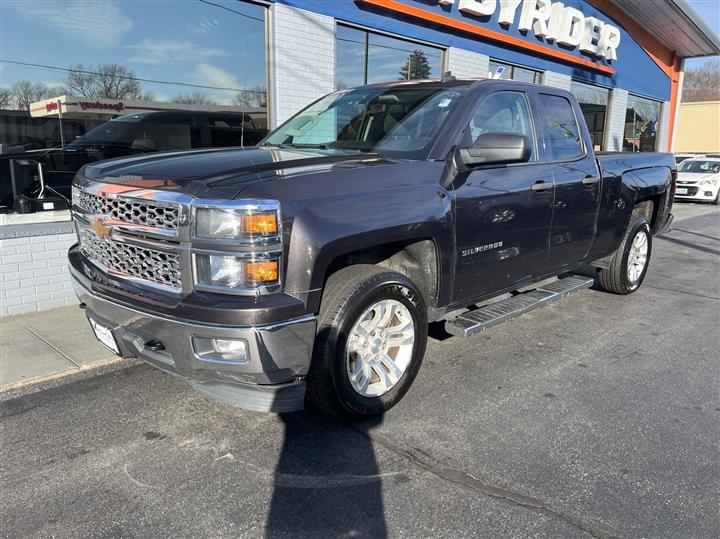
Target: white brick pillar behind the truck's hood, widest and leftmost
pixel 303 59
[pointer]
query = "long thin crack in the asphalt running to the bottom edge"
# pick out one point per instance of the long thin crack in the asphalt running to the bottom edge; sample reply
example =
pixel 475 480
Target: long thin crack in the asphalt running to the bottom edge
pixel 465 480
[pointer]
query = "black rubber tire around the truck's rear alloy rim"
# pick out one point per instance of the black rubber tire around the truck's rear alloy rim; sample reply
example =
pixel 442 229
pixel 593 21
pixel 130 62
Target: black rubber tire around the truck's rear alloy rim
pixel 615 278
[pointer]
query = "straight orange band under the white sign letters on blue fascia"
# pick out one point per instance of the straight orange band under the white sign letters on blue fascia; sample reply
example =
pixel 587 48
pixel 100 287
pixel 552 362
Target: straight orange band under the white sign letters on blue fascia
pixel 479 31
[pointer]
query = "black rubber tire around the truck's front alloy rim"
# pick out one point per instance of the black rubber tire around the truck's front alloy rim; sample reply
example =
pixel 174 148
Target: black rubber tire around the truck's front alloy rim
pixel 348 294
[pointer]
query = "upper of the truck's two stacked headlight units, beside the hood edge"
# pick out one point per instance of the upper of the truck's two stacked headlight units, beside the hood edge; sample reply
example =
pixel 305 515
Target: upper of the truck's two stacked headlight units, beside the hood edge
pixel 247 224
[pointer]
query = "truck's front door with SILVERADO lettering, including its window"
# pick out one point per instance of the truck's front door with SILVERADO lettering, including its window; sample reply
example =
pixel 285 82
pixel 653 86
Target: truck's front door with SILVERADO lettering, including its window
pixel 503 211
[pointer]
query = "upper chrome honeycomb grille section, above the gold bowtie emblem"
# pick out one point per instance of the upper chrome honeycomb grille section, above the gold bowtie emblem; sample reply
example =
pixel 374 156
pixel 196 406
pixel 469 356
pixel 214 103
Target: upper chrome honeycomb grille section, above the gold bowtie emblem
pixel 128 210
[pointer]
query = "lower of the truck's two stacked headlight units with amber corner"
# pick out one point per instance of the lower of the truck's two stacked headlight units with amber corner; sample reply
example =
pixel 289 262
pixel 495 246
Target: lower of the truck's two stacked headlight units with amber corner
pixel 237 273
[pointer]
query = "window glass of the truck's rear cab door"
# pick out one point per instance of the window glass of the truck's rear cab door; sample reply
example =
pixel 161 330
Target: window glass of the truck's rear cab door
pixel 561 131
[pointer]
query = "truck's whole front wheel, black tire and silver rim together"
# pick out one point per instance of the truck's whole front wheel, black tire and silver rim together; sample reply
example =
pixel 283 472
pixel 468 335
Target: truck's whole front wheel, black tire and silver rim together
pixel 372 333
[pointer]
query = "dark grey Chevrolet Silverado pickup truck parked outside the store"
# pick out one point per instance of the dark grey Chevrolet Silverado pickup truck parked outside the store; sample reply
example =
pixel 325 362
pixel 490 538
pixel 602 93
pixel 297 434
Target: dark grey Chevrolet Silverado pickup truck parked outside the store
pixel 310 266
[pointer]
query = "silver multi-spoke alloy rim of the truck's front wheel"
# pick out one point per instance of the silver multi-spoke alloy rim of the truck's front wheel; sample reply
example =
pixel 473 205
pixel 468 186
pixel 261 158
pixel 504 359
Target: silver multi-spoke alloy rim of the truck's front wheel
pixel 380 347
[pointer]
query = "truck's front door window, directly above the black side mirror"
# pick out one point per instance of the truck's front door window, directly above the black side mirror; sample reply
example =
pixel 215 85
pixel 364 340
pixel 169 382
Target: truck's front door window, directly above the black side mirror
pixel 503 112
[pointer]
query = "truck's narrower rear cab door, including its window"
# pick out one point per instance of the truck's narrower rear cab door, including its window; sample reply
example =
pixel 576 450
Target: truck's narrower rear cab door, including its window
pixel 566 146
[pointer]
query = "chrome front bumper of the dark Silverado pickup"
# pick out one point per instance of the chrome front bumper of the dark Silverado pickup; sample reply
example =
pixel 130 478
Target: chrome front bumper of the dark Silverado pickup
pixel 271 379
